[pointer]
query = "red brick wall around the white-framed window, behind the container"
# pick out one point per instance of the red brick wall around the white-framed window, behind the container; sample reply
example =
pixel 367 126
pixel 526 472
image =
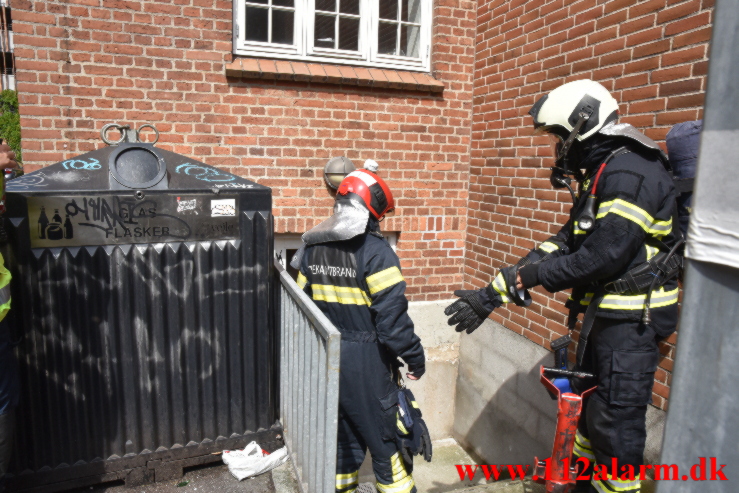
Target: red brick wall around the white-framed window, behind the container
pixel 84 63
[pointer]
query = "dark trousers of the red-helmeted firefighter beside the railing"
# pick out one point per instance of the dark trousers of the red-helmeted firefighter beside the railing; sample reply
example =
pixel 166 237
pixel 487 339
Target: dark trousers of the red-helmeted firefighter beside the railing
pixel 366 381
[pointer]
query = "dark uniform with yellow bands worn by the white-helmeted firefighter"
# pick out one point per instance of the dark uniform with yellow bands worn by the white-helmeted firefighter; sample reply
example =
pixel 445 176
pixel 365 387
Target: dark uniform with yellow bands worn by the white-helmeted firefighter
pixel 634 222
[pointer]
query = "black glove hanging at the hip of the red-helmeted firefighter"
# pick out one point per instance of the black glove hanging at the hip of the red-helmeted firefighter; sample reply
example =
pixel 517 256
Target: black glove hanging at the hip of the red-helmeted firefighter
pixel 412 435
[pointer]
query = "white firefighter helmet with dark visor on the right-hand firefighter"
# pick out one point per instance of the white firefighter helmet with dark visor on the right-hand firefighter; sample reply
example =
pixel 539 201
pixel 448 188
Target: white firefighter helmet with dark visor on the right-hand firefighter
pixel 583 102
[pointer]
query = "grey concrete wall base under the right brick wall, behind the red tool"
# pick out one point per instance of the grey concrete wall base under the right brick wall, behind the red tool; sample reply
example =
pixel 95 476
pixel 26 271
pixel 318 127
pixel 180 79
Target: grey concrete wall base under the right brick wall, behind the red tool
pixel 502 413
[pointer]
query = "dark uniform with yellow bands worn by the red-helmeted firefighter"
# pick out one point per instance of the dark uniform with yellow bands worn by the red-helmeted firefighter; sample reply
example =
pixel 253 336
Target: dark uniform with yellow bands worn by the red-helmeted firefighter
pixel 358 285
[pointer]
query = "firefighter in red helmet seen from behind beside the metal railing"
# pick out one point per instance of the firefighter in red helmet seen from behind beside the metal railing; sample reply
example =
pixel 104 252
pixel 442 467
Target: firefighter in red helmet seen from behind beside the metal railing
pixel 353 275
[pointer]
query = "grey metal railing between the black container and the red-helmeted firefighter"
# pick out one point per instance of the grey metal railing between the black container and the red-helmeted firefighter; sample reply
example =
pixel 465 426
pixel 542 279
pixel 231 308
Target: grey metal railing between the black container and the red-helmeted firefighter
pixel 309 386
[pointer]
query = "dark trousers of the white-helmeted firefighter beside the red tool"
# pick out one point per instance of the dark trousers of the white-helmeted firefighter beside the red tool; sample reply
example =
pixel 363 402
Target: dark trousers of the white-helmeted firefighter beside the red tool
pixel 623 355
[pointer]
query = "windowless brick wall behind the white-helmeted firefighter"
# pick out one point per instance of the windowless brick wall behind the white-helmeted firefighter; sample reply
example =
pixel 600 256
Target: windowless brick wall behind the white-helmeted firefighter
pixel 651 54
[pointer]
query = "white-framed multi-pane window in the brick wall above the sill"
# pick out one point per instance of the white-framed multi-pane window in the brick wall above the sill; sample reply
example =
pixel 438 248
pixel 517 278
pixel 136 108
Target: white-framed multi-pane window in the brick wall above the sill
pixel 372 33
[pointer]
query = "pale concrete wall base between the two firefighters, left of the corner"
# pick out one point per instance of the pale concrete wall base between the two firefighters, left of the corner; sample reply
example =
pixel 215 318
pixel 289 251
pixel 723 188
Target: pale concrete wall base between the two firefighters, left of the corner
pixel 436 389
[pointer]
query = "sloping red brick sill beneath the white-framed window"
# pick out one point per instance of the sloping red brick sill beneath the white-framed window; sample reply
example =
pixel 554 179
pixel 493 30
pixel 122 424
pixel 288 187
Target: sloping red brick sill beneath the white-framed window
pixel 258 68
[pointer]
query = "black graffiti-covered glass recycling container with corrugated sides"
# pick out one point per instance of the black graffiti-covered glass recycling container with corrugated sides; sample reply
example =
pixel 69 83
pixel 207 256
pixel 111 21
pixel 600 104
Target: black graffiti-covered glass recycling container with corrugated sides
pixel 142 306
